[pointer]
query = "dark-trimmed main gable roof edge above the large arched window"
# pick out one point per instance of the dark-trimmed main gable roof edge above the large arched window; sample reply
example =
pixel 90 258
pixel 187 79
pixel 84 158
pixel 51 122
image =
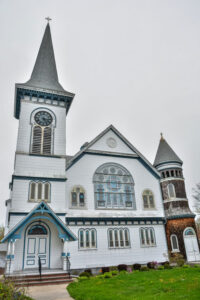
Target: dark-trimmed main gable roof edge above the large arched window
pixel 136 153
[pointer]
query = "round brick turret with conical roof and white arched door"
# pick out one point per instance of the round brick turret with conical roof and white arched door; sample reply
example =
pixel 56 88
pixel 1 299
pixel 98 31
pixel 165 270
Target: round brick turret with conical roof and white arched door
pixel 180 219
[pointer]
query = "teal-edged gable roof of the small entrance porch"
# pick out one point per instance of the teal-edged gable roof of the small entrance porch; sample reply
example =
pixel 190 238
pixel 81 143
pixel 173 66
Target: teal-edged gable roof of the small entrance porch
pixel 41 208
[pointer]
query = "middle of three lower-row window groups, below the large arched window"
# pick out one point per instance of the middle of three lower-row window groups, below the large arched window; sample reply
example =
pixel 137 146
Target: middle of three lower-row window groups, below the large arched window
pixel 118 238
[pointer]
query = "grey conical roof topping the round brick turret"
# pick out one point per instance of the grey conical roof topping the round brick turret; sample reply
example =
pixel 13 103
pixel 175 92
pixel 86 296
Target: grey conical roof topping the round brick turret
pixel 165 154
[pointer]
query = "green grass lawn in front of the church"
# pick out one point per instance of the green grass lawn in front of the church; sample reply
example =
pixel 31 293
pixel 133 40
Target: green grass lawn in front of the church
pixel 177 283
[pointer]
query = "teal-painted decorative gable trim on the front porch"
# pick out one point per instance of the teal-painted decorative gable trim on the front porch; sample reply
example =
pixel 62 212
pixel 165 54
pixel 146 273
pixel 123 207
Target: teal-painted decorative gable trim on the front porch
pixel 41 208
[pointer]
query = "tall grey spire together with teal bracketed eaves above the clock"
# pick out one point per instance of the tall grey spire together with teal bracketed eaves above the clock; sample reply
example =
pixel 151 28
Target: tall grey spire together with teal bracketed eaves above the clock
pixel 44 81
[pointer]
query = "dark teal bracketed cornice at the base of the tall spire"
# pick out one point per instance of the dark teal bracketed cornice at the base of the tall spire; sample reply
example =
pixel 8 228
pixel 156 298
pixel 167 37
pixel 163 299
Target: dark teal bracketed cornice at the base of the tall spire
pixel 21 92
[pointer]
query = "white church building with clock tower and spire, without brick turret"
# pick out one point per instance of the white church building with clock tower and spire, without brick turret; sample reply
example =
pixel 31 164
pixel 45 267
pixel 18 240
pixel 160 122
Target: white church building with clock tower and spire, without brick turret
pixel 101 207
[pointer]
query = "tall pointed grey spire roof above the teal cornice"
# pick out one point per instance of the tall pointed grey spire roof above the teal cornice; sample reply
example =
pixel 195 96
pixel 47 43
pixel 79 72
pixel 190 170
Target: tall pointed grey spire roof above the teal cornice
pixel 44 73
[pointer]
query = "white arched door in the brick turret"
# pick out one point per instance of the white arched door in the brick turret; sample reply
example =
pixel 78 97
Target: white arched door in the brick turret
pixel 191 245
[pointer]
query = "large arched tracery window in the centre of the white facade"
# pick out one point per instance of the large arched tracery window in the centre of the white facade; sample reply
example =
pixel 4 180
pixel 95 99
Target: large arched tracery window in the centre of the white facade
pixel 113 187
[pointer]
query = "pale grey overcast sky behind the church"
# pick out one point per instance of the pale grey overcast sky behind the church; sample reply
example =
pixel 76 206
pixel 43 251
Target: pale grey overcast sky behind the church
pixel 131 63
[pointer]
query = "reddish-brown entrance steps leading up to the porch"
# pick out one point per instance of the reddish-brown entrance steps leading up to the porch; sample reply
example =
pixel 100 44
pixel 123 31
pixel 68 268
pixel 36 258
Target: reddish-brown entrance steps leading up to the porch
pixel 25 280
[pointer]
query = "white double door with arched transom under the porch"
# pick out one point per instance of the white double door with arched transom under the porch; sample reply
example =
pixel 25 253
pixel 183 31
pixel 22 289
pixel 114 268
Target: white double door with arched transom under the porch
pixel 37 245
